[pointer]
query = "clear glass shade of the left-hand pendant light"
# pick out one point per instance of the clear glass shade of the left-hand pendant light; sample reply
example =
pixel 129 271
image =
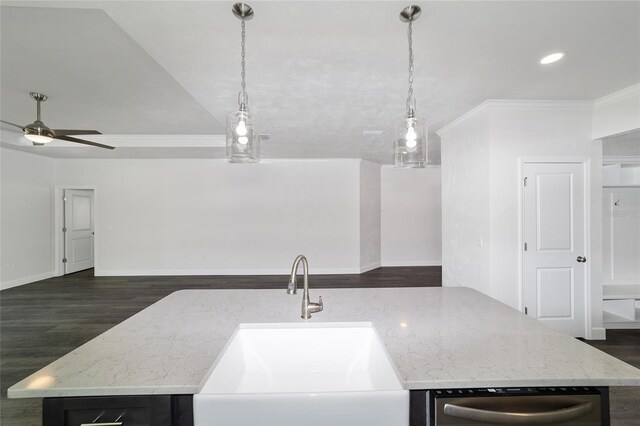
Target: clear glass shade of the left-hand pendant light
pixel 242 139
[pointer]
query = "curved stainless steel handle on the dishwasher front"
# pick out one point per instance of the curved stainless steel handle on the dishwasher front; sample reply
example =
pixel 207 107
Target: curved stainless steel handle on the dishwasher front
pixel 505 417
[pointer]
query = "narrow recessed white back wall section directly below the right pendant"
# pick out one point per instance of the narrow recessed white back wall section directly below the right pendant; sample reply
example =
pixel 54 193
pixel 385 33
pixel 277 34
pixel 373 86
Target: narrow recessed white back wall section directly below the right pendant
pixel 411 216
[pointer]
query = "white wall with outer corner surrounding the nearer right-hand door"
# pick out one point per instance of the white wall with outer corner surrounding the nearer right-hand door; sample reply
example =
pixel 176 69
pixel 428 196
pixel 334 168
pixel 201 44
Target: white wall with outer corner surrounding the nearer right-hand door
pixel 481 153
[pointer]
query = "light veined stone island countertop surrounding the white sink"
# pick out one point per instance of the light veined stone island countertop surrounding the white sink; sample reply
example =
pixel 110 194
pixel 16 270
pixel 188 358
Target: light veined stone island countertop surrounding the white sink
pixel 437 338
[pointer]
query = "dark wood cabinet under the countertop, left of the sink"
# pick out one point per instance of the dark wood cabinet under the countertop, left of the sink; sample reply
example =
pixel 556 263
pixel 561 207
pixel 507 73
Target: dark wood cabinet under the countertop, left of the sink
pixel 158 410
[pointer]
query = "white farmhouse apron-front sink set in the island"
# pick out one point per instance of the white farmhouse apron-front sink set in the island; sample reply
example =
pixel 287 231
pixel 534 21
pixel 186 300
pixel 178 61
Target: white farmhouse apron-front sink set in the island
pixel 303 374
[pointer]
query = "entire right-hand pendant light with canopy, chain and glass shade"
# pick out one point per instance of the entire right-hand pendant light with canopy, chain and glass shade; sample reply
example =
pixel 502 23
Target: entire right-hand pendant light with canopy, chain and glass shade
pixel 411 132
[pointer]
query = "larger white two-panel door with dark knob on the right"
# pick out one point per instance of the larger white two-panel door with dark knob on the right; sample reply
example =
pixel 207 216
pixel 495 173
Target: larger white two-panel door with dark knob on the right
pixel 554 263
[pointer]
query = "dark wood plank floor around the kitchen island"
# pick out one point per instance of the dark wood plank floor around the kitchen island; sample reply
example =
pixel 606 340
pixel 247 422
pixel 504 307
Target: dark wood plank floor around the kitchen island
pixel 43 321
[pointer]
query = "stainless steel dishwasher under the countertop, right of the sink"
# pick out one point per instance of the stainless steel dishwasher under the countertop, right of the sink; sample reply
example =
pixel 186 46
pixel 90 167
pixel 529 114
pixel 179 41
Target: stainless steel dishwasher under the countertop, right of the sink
pixel 583 406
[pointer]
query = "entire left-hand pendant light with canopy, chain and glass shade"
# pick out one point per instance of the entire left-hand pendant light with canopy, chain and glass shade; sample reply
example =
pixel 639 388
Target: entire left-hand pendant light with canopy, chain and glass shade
pixel 242 139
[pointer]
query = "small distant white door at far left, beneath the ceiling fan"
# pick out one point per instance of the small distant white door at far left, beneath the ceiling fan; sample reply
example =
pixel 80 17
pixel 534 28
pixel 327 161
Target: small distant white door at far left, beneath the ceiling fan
pixel 78 230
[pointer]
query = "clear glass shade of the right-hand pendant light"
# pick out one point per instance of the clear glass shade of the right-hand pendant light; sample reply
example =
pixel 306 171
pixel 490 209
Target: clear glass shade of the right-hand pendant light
pixel 411 143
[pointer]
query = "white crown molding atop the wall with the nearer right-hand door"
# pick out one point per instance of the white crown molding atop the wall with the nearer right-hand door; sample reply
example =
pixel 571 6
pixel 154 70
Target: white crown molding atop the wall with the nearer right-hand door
pixel 518 105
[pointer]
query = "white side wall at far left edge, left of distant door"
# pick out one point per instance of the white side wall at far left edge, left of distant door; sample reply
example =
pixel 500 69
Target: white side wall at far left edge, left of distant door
pixel 26 212
